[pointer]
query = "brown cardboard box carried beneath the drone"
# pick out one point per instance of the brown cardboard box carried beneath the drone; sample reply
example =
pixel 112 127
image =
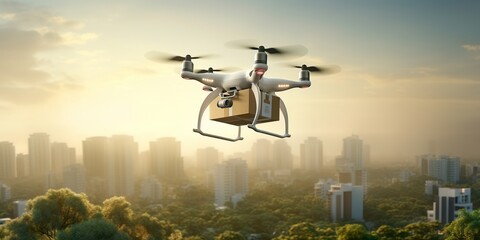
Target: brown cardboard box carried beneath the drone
pixel 243 110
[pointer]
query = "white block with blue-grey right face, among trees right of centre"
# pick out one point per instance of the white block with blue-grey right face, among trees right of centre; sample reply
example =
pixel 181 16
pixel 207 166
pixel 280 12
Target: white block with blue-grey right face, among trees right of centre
pixel 345 202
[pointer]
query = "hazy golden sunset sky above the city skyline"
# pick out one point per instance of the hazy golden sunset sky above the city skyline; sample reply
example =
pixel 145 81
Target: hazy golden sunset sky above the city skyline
pixel 410 71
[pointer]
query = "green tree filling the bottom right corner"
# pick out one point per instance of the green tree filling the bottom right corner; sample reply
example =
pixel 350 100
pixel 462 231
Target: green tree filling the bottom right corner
pixel 466 226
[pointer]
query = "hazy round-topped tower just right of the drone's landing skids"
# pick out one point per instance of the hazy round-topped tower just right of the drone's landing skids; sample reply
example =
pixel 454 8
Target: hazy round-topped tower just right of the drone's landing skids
pixel 311 154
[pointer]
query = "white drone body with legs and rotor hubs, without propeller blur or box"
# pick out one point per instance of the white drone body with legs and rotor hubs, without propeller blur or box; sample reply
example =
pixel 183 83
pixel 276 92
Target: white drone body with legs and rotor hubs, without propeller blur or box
pixel 228 85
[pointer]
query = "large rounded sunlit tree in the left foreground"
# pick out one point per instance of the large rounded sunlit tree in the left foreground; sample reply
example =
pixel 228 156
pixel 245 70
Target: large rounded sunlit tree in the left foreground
pixel 50 213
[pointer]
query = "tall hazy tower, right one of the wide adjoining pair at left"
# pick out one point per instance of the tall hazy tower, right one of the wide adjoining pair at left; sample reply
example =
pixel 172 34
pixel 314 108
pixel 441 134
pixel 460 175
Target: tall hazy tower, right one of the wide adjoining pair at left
pixel 124 155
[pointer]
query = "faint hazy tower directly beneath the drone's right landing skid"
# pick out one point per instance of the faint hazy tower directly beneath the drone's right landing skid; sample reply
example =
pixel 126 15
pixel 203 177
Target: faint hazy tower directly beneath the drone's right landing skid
pixel 261 155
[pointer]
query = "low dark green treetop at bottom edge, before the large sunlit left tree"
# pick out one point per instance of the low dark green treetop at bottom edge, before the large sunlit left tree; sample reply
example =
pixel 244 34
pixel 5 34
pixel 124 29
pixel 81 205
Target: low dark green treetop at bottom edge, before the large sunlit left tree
pixel 96 228
